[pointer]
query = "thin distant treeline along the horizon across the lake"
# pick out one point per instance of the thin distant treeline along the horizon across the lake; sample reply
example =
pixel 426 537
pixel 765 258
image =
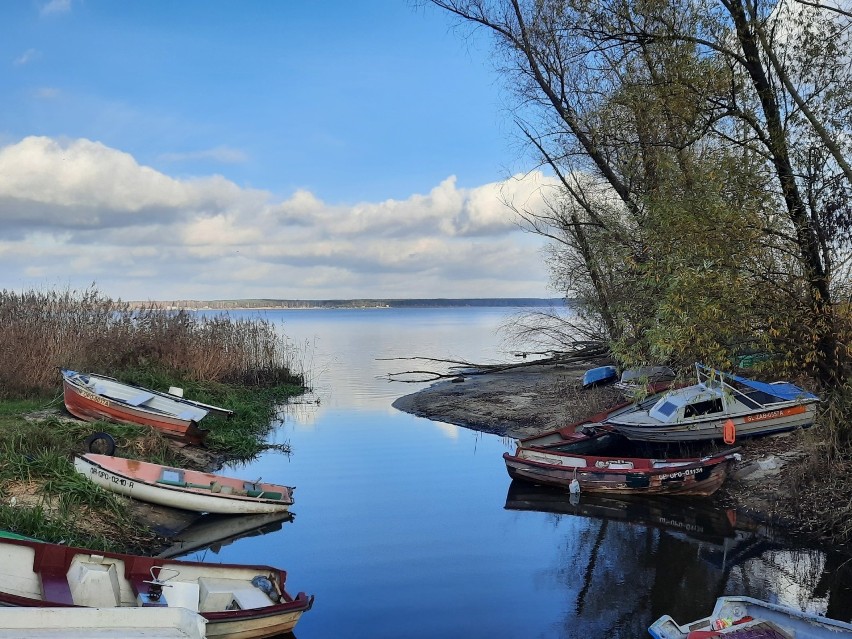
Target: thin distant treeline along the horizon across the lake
pixel 358 303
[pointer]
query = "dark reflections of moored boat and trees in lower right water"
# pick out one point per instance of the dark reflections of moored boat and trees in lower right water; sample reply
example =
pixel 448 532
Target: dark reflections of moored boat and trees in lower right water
pixel 624 561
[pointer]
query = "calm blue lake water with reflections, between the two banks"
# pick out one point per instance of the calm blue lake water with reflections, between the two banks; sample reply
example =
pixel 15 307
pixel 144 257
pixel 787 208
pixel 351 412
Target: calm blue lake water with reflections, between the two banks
pixel 406 527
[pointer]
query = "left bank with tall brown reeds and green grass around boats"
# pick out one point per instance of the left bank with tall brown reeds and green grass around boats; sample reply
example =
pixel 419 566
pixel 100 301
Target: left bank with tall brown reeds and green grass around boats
pixel 248 366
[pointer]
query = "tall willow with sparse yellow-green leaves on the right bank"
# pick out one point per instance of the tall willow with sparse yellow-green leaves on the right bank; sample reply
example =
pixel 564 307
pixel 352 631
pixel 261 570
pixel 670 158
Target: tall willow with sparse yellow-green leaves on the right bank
pixel 705 123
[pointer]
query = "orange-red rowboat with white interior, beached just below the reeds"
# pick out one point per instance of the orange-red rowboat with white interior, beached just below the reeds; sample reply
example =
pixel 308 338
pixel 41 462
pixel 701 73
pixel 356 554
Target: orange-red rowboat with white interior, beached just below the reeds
pixel 92 397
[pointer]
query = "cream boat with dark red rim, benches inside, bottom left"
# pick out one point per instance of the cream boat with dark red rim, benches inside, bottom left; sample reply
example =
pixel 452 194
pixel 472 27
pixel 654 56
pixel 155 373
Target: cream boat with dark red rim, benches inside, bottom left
pixel 238 601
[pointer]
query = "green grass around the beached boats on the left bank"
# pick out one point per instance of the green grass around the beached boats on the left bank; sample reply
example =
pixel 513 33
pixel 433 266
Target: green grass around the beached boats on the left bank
pixel 37 457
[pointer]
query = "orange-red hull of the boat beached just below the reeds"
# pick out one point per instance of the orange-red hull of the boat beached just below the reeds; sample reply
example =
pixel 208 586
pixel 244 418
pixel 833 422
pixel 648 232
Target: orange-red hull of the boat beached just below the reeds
pixel 89 406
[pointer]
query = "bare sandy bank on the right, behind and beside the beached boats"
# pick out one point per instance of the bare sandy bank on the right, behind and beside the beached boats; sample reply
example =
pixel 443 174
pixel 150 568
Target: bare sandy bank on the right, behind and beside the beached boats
pixel 520 402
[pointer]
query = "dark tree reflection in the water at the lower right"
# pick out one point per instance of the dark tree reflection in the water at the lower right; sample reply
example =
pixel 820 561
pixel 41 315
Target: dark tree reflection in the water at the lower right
pixel 623 576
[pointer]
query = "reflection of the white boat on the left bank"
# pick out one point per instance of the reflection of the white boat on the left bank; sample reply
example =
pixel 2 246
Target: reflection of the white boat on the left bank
pixel 214 531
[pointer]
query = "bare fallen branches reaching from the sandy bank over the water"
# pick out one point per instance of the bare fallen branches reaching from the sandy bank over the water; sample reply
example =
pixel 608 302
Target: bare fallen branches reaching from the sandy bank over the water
pixel 581 353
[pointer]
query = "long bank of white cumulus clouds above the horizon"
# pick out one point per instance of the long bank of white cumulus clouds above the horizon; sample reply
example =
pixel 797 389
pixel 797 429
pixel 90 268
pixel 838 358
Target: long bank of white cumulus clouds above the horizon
pixel 81 210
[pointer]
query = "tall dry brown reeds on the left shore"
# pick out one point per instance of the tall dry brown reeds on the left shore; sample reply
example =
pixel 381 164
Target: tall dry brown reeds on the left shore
pixel 41 331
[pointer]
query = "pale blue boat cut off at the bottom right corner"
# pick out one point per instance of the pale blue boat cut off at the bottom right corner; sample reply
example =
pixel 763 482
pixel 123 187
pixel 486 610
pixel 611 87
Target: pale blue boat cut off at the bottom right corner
pixel 744 617
